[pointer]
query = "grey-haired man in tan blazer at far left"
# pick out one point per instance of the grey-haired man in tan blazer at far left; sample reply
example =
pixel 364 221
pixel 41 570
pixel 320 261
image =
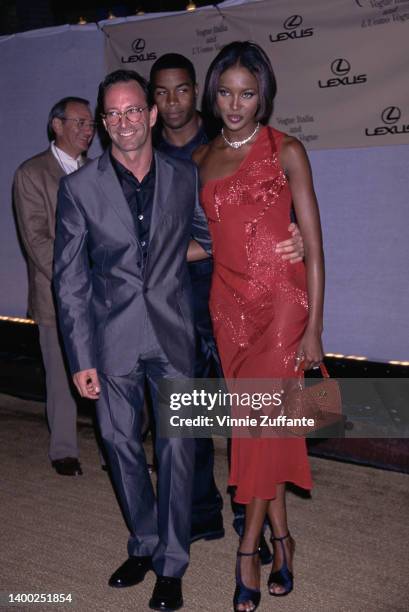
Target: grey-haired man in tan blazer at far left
pixel 70 131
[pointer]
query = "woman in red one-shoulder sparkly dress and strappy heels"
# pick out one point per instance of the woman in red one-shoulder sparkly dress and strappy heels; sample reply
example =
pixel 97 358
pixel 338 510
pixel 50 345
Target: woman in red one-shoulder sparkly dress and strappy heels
pixel 267 313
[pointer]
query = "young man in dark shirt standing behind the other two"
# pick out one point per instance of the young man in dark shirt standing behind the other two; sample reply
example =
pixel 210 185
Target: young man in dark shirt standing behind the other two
pixel 179 132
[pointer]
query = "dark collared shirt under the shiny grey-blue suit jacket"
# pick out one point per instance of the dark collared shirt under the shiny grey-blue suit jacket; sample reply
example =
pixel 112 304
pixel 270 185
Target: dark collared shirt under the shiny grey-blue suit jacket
pixel 139 196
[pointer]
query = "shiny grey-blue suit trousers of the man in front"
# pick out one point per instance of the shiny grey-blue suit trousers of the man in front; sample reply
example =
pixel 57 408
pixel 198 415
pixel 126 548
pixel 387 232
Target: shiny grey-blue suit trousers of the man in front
pixel 158 527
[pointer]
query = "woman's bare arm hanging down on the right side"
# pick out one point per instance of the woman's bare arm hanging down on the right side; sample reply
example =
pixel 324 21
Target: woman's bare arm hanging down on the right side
pixel 295 162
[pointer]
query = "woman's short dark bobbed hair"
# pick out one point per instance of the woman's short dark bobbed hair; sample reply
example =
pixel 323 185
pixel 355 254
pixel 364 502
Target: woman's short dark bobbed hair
pixel 250 56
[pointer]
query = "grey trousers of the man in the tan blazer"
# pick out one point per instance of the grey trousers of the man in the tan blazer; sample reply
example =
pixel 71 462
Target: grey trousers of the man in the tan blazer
pixel 61 405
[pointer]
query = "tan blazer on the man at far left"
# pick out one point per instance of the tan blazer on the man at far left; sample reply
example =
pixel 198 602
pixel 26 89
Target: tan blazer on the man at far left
pixel 35 199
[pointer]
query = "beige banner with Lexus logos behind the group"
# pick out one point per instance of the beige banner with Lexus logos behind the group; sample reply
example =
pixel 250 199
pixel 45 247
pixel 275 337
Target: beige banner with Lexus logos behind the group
pixel 341 66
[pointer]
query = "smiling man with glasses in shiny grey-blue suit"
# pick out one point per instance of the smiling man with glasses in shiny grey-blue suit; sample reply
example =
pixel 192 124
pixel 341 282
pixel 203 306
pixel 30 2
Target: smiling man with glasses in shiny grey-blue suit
pixel 124 223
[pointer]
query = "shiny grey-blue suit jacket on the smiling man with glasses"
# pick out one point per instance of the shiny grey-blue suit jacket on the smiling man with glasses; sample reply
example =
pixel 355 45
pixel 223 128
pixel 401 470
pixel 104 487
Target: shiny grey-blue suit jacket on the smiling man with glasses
pixel 103 288
